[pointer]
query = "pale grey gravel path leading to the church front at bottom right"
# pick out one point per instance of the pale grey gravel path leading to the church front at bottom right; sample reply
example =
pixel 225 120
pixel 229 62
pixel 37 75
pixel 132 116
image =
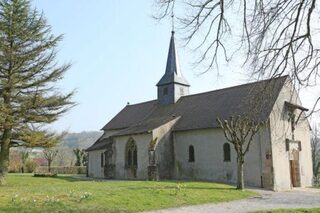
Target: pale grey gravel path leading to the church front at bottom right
pixel 297 198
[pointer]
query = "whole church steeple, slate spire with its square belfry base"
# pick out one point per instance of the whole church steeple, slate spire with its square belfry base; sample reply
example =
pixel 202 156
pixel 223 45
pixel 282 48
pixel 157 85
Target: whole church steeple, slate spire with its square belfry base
pixel 172 85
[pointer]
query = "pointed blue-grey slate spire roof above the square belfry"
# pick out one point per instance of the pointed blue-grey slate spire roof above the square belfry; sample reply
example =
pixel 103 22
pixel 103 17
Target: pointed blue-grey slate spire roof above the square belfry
pixel 173 73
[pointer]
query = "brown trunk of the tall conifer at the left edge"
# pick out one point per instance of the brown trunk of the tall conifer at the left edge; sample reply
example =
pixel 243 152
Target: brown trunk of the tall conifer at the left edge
pixel 4 155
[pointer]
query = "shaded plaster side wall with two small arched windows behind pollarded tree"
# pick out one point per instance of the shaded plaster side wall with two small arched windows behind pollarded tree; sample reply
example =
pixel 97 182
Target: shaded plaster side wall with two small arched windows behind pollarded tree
pixel 209 163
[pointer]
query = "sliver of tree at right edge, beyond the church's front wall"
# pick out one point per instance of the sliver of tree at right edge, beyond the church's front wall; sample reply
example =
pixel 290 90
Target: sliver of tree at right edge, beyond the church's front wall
pixel 315 150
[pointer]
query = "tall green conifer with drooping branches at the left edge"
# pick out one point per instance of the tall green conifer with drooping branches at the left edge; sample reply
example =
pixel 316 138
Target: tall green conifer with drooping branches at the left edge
pixel 29 97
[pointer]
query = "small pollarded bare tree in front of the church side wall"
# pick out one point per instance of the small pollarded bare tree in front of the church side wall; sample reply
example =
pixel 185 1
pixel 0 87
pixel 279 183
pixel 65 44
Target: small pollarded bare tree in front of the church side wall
pixel 240 131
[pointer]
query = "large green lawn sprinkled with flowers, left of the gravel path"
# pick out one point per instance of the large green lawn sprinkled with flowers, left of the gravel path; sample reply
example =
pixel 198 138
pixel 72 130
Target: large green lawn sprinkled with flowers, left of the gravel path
pixel 25 193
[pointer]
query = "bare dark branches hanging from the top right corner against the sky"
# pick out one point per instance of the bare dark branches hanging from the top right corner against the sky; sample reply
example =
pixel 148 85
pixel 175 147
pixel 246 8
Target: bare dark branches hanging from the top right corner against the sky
pixel 276 37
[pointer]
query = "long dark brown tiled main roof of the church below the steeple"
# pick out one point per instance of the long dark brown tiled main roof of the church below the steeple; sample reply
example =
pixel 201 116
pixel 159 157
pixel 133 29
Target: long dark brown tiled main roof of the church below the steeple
pixel 201 110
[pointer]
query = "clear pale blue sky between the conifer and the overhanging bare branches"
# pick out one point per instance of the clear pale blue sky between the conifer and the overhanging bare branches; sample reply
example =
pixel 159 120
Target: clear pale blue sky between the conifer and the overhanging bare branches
pixel 118 54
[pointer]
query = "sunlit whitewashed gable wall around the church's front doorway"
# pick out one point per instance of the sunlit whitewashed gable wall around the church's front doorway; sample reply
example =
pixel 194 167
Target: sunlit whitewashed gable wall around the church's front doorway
pixel 280 130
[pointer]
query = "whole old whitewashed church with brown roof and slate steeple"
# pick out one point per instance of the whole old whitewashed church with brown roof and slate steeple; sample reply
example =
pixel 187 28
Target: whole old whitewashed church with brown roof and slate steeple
pixel 177 136
